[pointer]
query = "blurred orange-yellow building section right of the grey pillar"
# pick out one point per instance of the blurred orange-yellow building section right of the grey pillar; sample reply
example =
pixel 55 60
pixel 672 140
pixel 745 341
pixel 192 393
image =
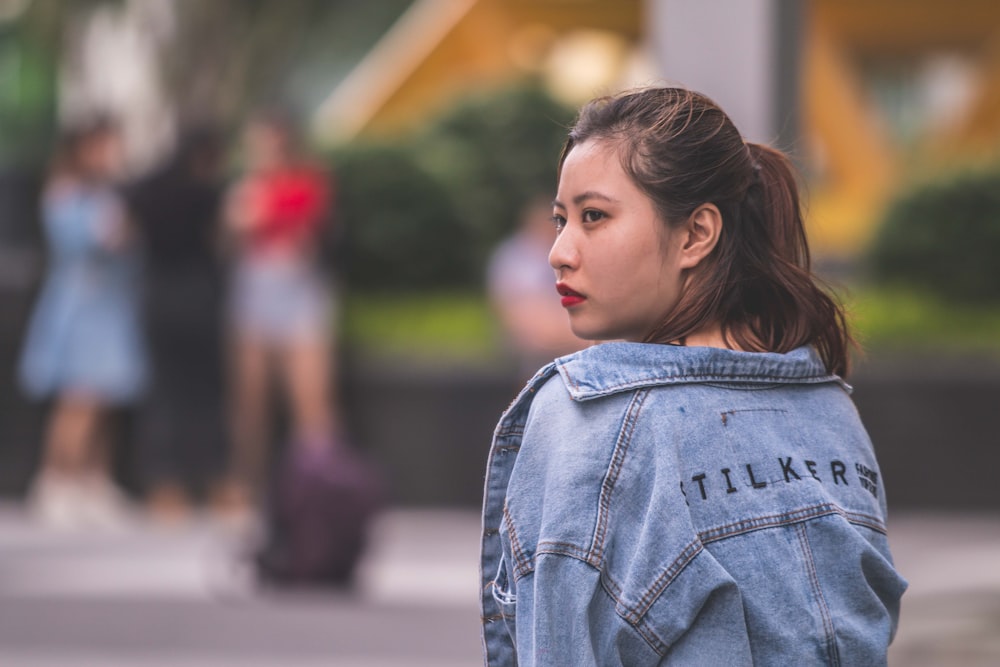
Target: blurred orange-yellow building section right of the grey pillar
pixel 893 92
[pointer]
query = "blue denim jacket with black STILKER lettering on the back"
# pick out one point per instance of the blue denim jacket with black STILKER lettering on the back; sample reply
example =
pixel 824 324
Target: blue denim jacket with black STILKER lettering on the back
pixel 661 505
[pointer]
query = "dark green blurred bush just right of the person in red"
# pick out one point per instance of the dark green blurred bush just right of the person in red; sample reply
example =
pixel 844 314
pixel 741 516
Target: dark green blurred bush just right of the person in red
pixel 400 231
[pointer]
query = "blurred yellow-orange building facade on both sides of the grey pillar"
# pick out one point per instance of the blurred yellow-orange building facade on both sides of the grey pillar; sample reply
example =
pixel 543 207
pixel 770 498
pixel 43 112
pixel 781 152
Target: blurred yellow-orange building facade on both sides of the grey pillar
pixel 888 91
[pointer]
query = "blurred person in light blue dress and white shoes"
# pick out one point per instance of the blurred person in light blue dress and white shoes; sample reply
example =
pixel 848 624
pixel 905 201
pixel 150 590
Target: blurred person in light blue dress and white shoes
pixel 84 350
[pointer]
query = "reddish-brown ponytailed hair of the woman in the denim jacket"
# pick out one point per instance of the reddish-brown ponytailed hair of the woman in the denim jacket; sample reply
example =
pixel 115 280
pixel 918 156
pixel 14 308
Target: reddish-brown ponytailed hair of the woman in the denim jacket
pixel 683 151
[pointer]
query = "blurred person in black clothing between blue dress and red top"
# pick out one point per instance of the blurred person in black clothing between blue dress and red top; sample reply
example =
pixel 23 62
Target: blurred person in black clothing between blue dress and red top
pixel 182 425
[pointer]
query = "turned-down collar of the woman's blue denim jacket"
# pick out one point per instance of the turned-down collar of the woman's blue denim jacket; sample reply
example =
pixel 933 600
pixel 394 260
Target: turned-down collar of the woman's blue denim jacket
pixel 610 368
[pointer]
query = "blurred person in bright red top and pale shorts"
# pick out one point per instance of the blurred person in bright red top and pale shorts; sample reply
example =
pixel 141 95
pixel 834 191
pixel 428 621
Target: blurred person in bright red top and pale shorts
pixel 280 299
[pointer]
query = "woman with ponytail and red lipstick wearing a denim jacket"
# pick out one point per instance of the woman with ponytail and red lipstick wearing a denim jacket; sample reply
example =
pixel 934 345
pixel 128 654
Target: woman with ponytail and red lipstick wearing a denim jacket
pixel 701 491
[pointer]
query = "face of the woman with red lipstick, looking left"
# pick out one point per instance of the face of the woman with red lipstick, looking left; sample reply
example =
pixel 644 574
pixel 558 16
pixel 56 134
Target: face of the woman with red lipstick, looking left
pixel 617 263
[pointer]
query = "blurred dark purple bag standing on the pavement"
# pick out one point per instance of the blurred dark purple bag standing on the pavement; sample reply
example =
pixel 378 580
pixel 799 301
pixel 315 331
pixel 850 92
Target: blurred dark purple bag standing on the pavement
pixel 320 507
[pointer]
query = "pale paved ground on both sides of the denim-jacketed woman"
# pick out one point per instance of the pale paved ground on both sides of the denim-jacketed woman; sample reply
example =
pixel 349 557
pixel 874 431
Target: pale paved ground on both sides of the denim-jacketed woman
pixel 154 597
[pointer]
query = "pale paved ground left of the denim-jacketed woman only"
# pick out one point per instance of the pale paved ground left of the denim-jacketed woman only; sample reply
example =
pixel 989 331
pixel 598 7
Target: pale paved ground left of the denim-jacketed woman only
pixel 153 597
